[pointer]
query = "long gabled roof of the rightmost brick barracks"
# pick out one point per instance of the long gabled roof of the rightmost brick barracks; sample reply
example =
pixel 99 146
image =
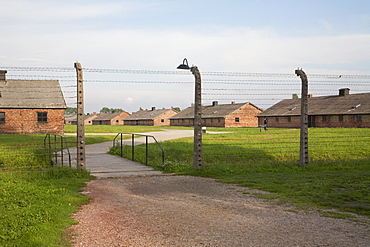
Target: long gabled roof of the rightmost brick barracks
pixel 325 105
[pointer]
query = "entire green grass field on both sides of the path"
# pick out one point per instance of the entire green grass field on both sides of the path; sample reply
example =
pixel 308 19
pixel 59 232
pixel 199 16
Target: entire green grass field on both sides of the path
pixel 36 204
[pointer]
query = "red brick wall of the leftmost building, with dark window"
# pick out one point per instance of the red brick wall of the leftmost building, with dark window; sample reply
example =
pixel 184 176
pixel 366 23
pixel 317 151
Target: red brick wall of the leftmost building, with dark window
pixel 24 121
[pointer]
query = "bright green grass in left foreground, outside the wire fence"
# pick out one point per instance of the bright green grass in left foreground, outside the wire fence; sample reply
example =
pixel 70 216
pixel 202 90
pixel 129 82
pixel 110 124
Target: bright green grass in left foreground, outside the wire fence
pixel 35 207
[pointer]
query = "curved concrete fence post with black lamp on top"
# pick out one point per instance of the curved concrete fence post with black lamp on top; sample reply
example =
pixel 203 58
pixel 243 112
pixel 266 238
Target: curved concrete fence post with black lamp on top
pixel 197 113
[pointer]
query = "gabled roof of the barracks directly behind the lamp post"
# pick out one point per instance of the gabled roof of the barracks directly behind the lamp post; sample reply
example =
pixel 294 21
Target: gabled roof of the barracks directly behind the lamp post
pixel 212 111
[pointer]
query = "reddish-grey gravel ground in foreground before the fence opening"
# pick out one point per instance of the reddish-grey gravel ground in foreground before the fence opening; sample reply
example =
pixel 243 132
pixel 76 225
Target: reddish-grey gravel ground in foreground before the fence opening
pixel 192 211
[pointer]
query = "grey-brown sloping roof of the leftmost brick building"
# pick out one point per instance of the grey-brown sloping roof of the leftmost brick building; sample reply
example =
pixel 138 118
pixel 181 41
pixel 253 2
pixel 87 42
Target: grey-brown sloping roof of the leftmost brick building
pixel 31 94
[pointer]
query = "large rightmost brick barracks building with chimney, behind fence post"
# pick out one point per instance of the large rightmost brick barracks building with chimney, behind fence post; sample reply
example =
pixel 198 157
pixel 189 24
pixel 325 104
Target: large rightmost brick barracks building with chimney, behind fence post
pixel 342 110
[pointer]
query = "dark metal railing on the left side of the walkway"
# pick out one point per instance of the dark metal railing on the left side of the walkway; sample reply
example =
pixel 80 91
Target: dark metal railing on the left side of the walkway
pixel 58 149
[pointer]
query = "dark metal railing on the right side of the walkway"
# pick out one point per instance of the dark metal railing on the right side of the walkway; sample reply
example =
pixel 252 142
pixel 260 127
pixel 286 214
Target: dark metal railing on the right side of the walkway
pixel 119 140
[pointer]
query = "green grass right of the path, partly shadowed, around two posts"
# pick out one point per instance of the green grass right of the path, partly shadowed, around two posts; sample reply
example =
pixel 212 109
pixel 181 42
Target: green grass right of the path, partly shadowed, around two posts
pixel 338 176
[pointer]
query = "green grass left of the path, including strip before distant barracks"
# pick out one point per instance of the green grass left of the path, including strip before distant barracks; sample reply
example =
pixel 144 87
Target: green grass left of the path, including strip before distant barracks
pixel 37 200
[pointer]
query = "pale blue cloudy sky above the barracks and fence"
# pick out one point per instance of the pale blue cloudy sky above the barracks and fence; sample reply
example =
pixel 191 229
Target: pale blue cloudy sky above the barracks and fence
pixel 320 36
